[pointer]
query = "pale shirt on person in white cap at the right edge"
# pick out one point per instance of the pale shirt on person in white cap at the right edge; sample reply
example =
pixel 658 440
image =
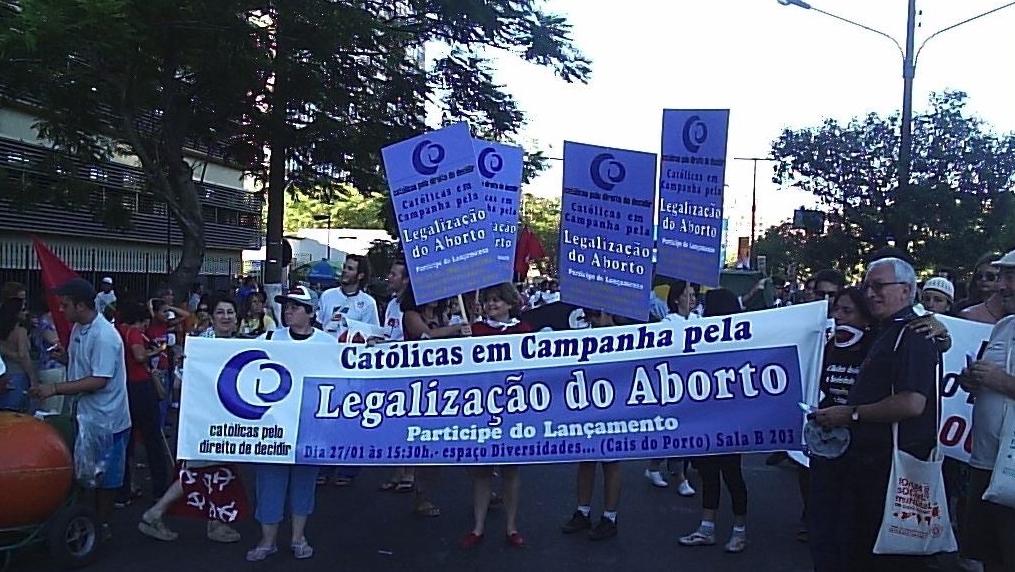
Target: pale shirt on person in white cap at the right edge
pixel 989 409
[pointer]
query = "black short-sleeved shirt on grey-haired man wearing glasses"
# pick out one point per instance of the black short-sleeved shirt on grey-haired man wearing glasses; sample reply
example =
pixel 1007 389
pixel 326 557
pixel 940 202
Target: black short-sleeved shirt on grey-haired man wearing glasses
pixel 911 368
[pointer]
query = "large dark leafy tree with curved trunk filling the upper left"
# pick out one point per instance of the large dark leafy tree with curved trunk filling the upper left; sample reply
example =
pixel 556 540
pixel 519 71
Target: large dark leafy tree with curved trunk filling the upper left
pixel 323 85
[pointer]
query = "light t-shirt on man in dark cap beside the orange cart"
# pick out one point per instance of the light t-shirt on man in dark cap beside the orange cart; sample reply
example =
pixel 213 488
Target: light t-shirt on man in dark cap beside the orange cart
pixel 97 350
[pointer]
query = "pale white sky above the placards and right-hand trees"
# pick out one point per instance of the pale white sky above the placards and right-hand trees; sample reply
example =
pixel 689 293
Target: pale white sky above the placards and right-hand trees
pixel 773 66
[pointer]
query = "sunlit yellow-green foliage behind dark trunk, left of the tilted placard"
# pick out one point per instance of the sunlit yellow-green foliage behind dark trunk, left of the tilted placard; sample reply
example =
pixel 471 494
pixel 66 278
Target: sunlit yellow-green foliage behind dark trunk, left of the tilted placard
pixel 348 207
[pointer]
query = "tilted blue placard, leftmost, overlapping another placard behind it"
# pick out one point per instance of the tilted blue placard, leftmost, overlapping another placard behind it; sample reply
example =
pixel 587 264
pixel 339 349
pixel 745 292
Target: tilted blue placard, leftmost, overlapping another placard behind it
pixel 443 223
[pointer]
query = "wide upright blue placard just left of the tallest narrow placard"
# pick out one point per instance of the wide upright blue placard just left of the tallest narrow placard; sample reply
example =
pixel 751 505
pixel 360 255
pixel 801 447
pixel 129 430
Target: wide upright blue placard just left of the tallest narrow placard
pixel 606 230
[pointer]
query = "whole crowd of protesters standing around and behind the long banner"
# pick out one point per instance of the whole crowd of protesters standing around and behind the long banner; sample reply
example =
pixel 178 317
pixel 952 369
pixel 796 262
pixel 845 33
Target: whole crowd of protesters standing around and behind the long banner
pixel 884 350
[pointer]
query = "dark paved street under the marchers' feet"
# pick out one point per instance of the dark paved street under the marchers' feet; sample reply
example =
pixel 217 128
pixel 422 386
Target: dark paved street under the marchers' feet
pixel 361 529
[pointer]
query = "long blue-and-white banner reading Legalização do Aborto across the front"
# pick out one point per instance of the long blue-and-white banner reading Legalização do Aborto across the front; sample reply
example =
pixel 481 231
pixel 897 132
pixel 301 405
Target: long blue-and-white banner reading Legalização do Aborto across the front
pixel 718 386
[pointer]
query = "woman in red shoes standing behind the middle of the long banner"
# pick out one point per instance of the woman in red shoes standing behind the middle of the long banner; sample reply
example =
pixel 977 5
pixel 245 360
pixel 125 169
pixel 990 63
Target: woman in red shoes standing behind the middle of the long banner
pixel 502 305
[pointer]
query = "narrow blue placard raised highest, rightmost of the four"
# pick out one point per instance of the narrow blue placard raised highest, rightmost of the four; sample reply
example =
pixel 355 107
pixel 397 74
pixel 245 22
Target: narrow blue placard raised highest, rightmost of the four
pixel 692 179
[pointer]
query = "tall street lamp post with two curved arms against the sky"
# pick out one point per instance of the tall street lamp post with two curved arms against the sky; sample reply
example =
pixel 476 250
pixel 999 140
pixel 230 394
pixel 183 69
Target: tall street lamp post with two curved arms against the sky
pixel 910 58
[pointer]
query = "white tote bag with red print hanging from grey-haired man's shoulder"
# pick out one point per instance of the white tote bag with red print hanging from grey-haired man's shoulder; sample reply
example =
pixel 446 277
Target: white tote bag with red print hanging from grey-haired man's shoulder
pixel 916 515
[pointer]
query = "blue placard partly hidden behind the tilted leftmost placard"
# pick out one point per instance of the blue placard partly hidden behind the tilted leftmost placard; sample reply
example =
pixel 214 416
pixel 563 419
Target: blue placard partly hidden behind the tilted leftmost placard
pixel 500 170
